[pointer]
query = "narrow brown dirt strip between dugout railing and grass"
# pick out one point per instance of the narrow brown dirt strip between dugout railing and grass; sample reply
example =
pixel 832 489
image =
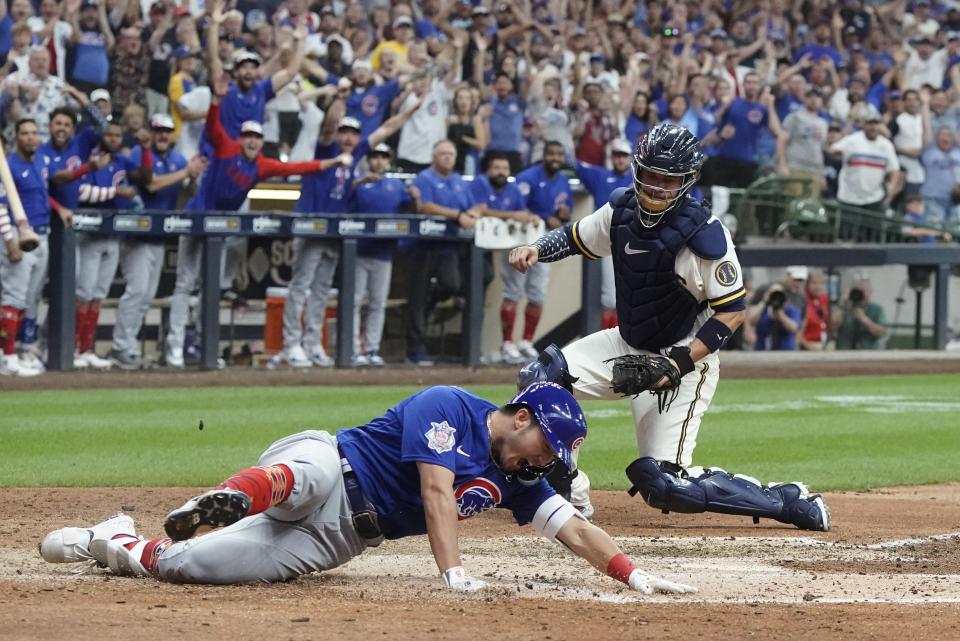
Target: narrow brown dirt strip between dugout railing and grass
pixel 734 365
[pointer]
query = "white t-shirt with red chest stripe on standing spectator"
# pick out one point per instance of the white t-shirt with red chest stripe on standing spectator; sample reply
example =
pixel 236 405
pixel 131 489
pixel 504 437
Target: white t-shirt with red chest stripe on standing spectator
pixel 866 164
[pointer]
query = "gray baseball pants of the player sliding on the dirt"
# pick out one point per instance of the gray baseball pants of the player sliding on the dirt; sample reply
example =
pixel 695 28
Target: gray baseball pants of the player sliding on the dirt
pixel 312 530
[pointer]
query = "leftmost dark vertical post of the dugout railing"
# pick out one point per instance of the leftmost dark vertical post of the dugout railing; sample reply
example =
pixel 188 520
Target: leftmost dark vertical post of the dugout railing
pixel 61 328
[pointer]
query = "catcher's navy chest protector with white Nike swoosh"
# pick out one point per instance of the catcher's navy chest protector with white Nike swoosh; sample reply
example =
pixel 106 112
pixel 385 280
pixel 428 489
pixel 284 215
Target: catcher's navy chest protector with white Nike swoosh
pixel 654 308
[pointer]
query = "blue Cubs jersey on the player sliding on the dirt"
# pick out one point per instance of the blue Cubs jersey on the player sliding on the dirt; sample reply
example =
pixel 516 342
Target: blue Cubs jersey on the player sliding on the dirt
pixel 444 426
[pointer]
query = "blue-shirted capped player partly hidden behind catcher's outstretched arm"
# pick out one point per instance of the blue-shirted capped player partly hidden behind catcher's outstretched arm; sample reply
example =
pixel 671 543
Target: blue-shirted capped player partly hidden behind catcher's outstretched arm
pixel 601 182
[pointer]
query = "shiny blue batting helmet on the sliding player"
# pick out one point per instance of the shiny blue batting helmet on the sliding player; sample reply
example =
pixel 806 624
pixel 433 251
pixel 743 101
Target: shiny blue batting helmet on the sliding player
pixel 559 416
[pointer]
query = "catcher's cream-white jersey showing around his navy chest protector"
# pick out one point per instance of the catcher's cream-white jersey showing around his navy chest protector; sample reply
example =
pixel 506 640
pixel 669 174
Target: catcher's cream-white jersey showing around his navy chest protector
pixel 715 282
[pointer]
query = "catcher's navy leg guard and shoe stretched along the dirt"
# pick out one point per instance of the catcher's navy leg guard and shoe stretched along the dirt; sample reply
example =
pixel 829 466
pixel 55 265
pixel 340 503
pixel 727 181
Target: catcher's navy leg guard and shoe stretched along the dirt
pixel 668 487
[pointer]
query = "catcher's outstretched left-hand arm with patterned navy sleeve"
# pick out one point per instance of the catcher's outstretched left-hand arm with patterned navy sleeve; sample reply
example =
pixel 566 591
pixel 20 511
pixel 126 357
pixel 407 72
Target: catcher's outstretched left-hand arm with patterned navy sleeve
pixel 589 236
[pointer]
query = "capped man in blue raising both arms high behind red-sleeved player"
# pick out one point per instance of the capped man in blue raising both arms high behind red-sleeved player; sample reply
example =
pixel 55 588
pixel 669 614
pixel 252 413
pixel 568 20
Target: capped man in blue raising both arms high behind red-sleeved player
pixel 247 96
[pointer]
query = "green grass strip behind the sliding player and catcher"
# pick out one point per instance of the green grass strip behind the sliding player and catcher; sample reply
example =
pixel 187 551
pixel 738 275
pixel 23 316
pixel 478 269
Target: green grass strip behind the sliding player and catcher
pixel 838 433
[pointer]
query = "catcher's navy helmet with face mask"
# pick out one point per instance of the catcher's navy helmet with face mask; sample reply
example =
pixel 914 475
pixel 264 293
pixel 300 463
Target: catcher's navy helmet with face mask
pixel 668 151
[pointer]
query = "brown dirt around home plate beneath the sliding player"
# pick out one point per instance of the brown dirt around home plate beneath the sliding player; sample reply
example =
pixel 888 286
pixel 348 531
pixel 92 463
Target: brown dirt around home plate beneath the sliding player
pixel 890 569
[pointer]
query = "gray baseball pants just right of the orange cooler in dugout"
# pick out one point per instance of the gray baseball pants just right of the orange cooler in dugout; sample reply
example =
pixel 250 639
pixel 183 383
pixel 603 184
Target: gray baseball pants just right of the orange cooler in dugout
pixel 314 264
